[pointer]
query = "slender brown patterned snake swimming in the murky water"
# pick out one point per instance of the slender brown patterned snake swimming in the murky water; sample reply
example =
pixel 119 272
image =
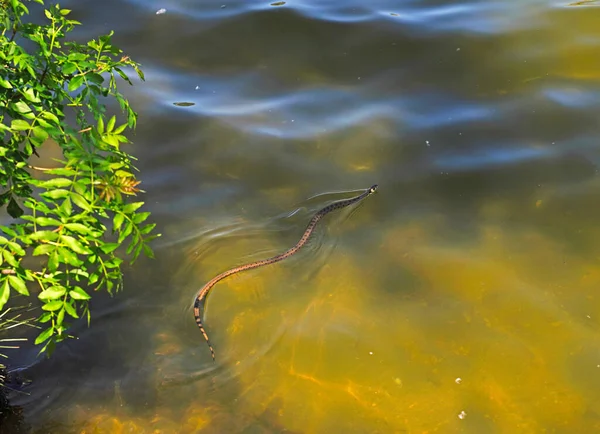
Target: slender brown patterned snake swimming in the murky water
pixel 202 295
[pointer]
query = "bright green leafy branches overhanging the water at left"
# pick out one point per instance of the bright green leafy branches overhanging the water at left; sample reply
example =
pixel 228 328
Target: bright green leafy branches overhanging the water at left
pixel 70 219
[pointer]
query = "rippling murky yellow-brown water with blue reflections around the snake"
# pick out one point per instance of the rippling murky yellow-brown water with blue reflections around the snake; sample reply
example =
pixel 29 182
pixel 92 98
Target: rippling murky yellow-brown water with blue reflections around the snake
pixel 462 298
